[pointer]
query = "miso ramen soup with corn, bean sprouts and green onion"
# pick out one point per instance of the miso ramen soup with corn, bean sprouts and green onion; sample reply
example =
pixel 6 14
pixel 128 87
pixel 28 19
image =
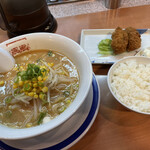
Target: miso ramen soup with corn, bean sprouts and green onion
pixel 41 86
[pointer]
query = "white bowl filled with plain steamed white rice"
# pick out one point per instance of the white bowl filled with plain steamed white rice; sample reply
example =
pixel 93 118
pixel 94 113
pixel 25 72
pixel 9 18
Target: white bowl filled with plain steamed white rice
pixel 129 82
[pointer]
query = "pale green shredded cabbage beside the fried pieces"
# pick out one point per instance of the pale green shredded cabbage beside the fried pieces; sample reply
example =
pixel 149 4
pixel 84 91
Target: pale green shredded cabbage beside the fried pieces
pixel 105 47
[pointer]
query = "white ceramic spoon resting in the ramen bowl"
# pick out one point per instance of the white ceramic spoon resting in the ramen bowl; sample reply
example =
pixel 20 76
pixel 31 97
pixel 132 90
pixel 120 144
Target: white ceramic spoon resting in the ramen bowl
pixel 7 61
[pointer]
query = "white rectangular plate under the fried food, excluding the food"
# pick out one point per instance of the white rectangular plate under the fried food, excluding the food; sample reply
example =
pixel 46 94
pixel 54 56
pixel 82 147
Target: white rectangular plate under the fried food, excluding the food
pixel 90 39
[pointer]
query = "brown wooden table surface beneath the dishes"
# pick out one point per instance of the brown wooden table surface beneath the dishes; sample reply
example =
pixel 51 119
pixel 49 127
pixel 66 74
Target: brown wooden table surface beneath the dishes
pixel 115 127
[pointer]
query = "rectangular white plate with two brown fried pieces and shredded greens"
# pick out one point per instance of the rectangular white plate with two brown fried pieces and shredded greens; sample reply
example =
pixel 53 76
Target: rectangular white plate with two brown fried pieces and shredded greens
pixel 106 46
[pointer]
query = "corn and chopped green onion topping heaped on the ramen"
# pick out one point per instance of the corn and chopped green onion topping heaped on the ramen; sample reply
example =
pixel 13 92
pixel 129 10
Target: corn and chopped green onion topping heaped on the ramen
pixel 31 82
